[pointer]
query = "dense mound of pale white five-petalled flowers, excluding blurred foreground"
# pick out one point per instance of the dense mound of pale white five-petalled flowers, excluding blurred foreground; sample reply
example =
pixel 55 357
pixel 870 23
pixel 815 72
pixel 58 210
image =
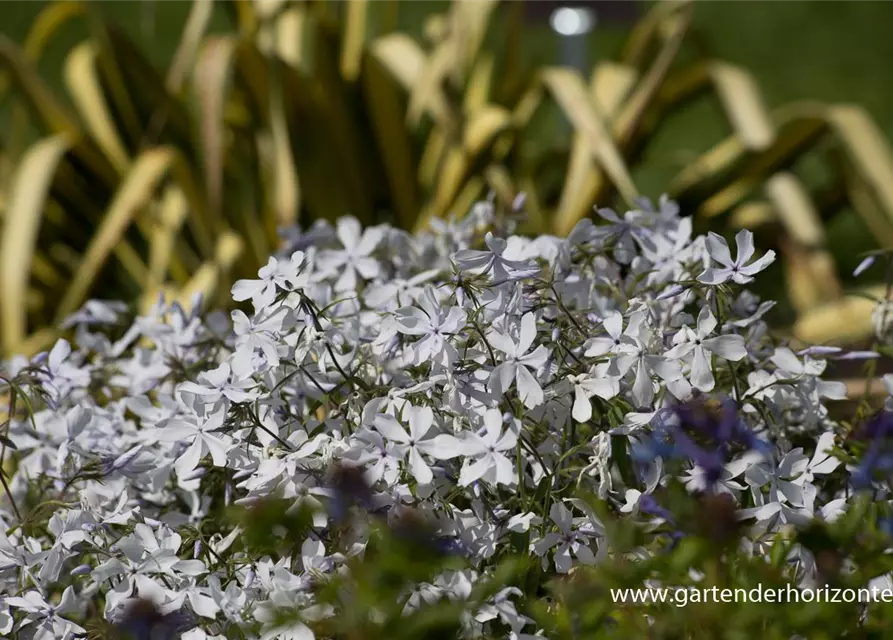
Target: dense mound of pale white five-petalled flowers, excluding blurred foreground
pixel 479 382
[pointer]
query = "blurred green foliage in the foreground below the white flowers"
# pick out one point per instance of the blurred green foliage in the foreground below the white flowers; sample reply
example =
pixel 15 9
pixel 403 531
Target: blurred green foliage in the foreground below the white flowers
pixel 714 588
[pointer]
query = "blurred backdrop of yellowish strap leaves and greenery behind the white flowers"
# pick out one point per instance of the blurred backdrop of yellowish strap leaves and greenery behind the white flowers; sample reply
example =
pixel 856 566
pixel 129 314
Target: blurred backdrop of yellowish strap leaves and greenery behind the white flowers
pixel 383 96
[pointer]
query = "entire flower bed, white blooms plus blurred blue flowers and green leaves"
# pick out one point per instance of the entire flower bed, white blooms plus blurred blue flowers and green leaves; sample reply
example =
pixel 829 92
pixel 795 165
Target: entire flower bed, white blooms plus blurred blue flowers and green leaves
pixel 462 433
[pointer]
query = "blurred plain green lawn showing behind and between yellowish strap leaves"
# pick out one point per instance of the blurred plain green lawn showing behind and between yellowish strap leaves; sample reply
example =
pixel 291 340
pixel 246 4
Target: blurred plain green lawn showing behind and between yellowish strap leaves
pixel 829 50
